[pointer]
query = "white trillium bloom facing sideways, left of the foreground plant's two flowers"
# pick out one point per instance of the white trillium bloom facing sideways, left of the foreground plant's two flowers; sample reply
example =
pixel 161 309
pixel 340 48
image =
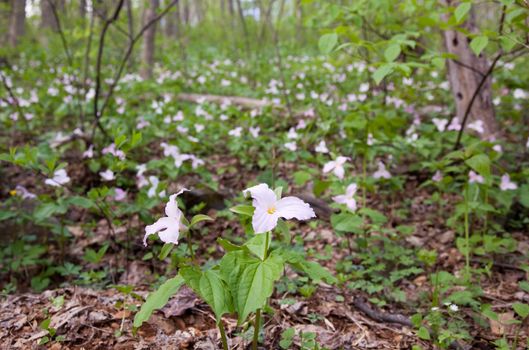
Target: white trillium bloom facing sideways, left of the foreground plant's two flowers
pixel 168 227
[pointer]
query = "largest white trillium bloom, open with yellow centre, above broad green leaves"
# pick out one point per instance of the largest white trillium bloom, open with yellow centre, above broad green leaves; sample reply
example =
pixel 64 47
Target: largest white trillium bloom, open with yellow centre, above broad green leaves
pixel 268 208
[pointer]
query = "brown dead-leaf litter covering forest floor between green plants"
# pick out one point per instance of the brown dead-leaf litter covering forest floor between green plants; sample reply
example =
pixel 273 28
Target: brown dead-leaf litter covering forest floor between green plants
pixel 82 317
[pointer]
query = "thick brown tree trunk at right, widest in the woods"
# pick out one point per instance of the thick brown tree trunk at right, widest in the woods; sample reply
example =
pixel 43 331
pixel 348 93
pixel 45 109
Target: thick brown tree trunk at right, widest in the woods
pixel 464 81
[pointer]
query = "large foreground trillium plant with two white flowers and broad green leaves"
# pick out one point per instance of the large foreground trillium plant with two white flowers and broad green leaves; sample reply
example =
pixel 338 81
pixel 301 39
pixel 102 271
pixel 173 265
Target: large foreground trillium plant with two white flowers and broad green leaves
pixel 241 282
